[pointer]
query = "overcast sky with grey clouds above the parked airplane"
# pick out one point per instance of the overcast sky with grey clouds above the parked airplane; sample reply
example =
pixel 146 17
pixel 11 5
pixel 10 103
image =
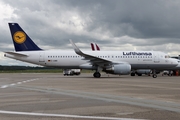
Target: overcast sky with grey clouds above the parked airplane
pixel 112 24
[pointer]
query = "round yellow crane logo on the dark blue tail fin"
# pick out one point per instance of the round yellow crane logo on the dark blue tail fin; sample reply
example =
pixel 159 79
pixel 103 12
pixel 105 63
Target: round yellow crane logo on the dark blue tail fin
pixel 19 37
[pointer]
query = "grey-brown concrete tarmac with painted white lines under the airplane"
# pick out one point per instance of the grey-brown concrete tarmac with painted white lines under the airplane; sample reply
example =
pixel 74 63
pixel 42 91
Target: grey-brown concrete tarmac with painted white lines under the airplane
pixel 27 96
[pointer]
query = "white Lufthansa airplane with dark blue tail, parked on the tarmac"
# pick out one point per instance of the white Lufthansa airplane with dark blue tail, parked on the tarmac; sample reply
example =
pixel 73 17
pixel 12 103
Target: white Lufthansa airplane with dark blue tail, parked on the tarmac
pixel 114 62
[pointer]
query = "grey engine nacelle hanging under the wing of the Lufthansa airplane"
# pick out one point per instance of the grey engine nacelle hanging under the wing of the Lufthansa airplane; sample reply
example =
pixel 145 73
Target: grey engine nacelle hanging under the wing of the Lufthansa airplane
pixel 120 69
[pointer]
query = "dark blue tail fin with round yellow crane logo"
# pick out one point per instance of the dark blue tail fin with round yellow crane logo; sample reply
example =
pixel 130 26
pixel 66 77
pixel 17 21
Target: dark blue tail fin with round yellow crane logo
pixel 22 42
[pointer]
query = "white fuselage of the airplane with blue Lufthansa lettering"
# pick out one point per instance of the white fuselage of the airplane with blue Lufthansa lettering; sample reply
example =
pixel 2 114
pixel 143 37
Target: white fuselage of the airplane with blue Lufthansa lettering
pixel 69 59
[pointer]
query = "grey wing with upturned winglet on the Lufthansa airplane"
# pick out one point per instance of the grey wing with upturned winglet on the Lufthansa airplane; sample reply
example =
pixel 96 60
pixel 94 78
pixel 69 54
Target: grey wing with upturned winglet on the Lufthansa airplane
pixel 93 59
